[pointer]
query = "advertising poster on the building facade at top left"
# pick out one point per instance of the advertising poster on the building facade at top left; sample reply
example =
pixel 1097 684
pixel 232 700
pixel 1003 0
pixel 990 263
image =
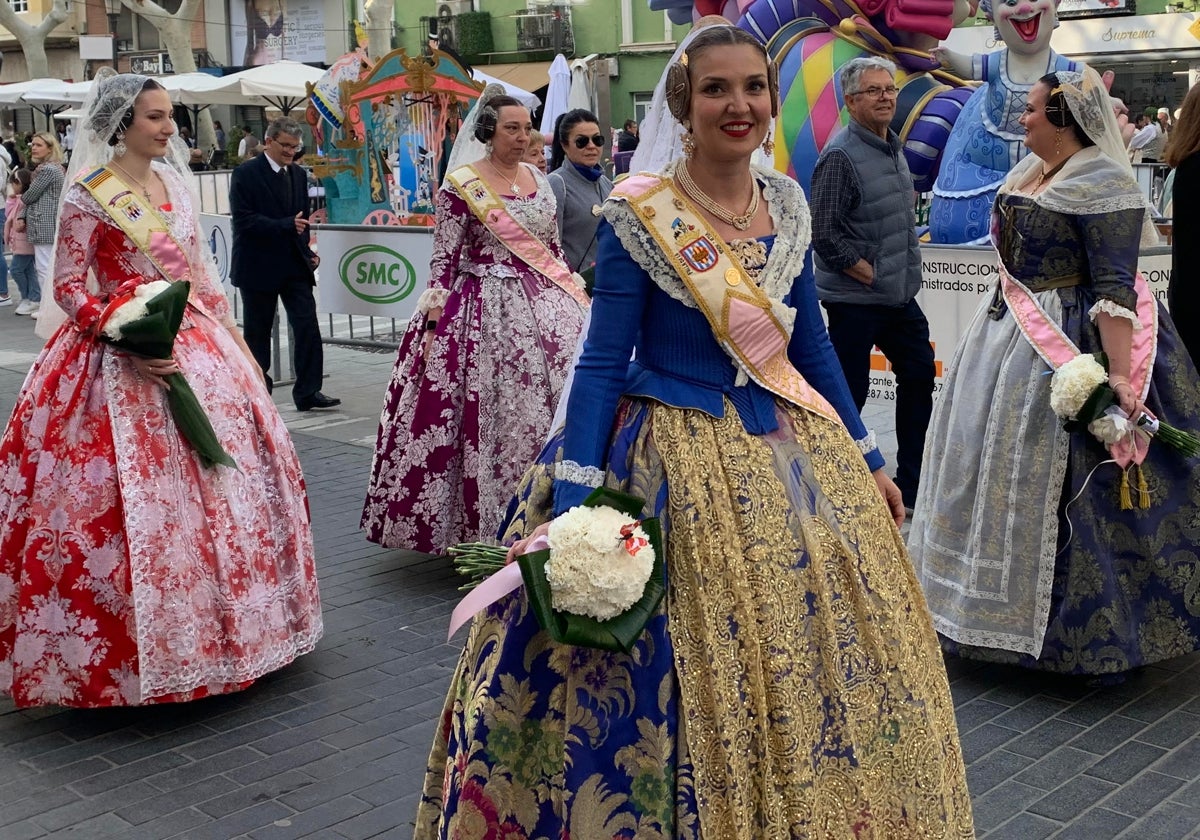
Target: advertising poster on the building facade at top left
pixel 262 32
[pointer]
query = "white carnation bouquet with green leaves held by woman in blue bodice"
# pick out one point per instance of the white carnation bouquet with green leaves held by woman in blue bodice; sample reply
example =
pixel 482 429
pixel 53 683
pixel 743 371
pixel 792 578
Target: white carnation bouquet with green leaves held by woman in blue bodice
pixel 598 583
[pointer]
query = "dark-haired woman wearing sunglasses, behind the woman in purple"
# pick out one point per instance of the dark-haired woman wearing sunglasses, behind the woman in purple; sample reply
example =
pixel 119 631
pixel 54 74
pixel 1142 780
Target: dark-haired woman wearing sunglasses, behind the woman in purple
pixel 580 184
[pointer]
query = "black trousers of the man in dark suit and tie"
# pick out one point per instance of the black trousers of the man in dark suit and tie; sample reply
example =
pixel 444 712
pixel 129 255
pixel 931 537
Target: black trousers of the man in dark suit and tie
pixel 259 320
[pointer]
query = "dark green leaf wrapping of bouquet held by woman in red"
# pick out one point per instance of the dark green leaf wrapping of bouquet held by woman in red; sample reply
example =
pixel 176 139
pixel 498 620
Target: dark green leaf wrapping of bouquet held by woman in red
pixel 153 337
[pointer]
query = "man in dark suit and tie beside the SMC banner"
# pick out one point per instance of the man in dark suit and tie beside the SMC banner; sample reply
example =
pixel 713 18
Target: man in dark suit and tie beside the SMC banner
pixel 272 260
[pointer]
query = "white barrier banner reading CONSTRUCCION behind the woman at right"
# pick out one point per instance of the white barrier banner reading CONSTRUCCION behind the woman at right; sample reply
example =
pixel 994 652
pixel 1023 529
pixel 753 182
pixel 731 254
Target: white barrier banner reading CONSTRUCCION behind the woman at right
pixel 955 281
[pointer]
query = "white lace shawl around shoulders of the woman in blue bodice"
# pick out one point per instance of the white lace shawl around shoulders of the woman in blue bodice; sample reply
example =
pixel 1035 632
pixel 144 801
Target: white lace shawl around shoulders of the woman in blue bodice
pixel 794 232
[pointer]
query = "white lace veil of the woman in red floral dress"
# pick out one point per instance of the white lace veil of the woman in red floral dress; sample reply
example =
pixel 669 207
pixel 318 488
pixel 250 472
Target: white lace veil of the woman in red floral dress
pixel 111 98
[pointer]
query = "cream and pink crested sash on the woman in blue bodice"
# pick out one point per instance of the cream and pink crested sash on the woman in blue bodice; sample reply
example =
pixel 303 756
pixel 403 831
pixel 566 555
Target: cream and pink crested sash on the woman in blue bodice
pixel 737 310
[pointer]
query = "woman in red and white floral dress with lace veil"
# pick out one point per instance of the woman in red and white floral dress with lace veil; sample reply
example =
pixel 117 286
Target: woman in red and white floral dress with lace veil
pixel 130 573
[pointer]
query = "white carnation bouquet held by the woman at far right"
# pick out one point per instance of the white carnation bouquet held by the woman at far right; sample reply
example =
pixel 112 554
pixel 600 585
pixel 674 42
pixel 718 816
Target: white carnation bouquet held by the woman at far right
pixel 1081 395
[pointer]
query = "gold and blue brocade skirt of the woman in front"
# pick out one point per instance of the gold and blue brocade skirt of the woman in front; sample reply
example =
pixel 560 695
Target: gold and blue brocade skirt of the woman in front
pixel 793 688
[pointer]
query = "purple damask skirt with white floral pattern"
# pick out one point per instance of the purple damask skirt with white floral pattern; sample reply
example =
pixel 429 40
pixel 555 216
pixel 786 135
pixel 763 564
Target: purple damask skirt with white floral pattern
pixel 460 428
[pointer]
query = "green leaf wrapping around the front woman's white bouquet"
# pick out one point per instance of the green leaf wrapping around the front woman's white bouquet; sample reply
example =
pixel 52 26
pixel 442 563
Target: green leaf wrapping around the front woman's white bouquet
pixel 615 634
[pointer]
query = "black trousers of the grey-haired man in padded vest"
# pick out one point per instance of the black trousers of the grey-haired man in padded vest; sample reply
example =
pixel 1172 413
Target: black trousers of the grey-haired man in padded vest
pixel 903 334
